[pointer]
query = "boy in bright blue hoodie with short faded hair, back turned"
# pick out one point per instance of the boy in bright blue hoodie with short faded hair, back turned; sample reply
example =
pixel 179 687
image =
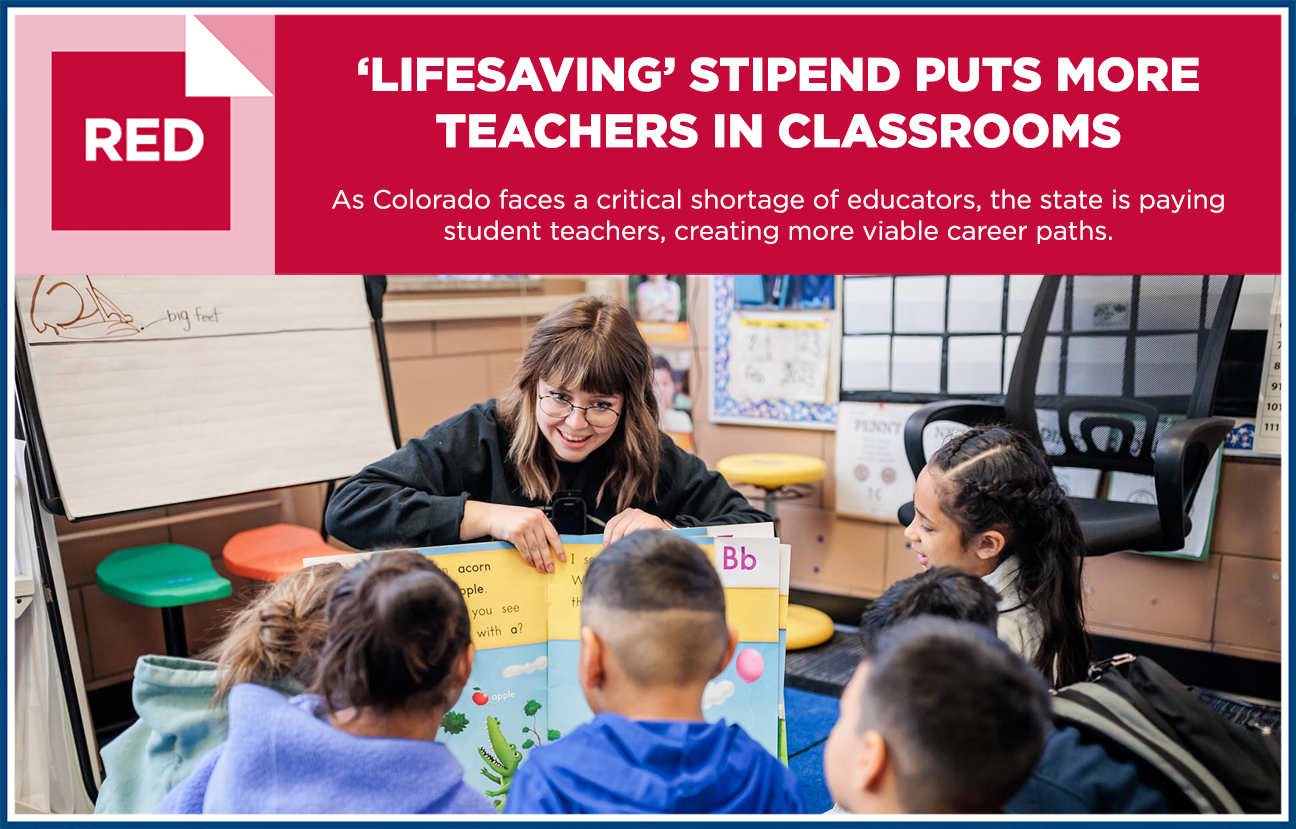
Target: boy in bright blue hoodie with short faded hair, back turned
pixel 653 635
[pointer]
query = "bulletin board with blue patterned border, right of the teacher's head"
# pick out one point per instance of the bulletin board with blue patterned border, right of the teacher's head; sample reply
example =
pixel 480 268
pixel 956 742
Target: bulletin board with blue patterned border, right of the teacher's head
pixel 774 350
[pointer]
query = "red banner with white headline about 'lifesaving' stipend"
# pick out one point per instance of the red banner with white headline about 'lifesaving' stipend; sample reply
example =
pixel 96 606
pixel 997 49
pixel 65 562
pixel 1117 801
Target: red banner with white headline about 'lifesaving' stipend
pixel 584 144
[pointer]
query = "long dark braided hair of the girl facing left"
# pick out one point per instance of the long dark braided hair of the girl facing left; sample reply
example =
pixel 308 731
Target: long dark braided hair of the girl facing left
pixel 996 477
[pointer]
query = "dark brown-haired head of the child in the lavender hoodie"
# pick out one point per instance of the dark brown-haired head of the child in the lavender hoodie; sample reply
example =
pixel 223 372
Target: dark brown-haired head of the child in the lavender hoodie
pixel 397 625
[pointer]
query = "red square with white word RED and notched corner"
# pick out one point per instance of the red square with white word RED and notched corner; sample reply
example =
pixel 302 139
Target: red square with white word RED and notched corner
pixel 130 152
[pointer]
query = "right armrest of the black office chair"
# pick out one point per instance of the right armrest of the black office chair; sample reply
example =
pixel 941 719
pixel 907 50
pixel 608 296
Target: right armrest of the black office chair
pixel 1183 455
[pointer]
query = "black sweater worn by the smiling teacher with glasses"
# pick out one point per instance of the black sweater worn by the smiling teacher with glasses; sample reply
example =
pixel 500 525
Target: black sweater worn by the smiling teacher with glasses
pixel 415 498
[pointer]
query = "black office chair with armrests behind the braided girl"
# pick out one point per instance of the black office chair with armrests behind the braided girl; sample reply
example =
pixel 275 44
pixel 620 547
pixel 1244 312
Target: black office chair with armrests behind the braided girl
pixel 1104 363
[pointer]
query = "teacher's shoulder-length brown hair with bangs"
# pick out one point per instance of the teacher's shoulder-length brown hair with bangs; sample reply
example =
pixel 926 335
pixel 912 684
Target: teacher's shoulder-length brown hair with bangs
pixel 592 345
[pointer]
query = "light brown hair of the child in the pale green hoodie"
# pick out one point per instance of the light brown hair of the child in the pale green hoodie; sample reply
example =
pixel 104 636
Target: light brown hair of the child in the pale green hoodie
pixel 279 634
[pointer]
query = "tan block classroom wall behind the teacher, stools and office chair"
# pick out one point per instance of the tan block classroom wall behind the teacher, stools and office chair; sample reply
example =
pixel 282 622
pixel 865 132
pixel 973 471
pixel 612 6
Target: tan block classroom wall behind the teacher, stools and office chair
pixel 1229 604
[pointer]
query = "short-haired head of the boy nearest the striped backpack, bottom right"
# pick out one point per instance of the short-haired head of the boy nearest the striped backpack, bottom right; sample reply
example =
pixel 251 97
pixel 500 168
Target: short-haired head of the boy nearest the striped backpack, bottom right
pixel 964 718
